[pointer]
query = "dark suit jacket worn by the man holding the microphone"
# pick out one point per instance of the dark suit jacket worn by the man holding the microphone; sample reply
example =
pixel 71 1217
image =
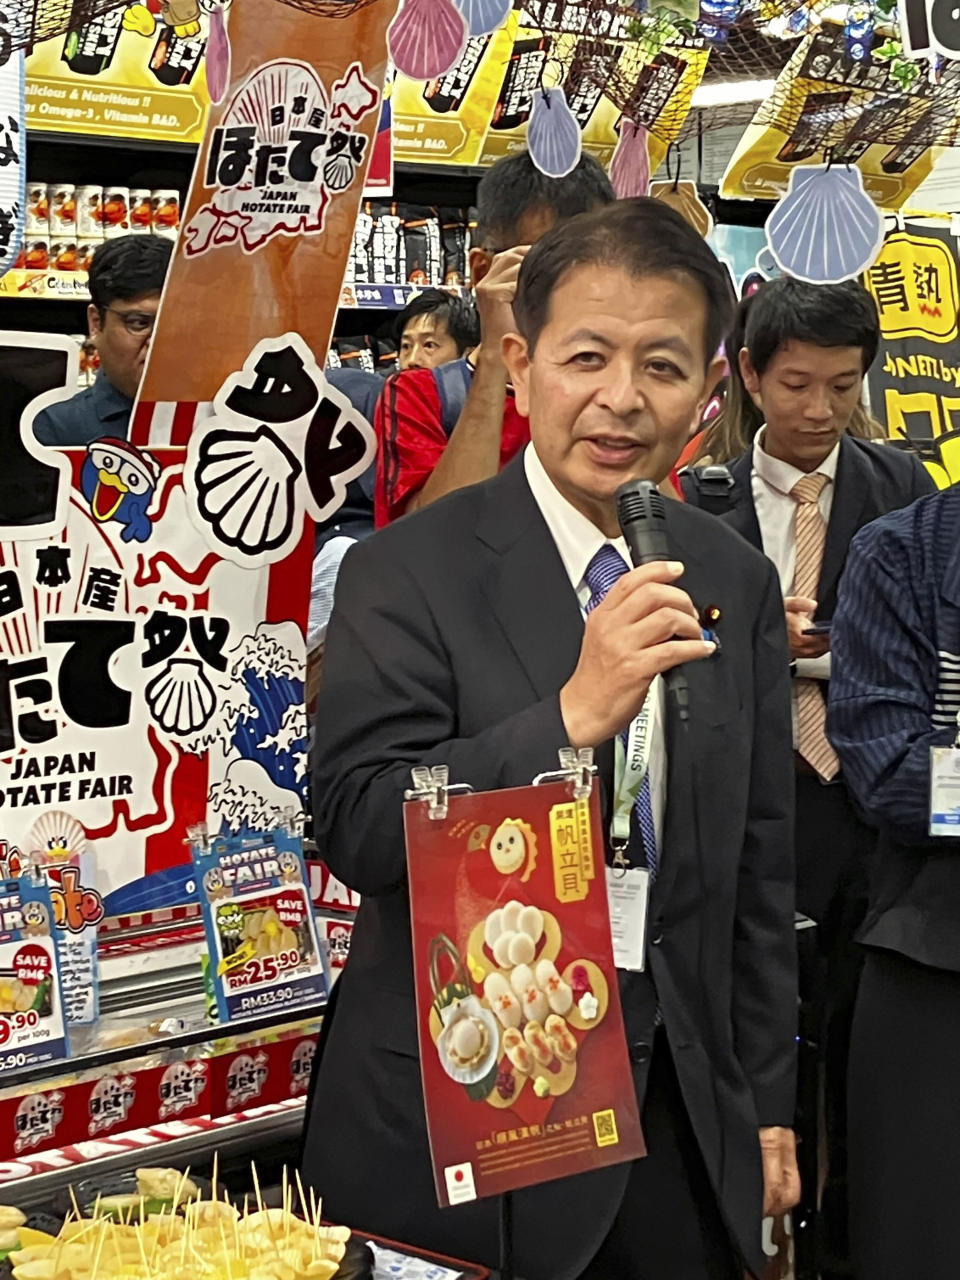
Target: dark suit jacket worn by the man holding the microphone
pixel 452 634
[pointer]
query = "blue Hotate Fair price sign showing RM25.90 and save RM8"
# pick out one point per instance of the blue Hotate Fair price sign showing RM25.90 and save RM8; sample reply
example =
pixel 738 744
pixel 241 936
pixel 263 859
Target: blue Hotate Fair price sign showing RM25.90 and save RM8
pixel 260 929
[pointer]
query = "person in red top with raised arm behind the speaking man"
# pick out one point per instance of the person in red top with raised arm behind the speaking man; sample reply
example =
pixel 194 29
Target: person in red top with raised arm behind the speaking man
pixel 422 455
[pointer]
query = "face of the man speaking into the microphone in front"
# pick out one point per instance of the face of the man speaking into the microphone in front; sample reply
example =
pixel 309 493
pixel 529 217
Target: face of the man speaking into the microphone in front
pixel 616 385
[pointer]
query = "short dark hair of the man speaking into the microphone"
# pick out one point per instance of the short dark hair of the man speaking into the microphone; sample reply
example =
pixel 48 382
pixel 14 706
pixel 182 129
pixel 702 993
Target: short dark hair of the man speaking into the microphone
pixel 644 237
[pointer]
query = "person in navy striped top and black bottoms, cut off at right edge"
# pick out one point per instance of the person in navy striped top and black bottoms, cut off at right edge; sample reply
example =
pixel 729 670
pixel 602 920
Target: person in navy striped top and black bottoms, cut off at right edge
pixel 895 696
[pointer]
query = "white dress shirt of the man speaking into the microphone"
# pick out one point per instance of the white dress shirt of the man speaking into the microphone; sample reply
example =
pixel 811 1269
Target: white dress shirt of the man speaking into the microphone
pixel 578 542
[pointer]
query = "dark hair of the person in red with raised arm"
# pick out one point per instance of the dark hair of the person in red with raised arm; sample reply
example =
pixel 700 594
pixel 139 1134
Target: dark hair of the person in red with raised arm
pixel 515 188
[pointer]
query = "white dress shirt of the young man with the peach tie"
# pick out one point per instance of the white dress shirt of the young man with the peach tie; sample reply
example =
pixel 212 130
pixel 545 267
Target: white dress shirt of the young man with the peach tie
pixel 776 514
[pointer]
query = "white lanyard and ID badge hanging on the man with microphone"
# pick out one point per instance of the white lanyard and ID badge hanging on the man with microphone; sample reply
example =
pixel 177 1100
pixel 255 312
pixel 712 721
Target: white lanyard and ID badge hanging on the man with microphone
pixel 629 888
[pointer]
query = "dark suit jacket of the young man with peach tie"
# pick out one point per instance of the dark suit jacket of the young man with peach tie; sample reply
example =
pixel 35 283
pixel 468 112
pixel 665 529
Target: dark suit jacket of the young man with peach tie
pixel 872 479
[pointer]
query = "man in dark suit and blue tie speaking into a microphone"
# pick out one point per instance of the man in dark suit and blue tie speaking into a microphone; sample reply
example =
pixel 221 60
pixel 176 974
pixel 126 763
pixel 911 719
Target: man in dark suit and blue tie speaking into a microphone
pixel 502 624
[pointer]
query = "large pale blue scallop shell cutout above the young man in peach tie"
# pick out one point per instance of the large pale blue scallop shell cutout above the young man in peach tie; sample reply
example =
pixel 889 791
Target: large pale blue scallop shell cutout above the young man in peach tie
pixel 826 228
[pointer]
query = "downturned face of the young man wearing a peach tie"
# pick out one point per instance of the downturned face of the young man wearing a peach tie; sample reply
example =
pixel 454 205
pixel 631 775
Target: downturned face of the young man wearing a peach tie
pixel 807 396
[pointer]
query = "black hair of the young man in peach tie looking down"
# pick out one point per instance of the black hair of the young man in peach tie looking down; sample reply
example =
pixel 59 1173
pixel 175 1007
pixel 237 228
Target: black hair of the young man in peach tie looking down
pixel 825 316
